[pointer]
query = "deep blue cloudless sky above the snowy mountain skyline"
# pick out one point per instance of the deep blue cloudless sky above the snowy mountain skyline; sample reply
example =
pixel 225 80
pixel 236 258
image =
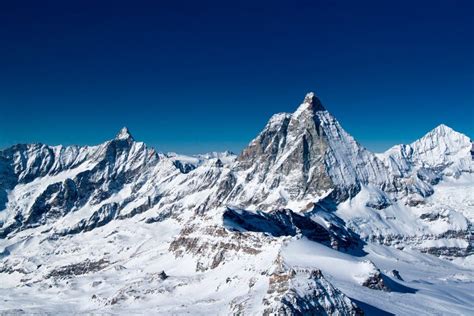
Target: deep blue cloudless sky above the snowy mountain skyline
pixel 196 76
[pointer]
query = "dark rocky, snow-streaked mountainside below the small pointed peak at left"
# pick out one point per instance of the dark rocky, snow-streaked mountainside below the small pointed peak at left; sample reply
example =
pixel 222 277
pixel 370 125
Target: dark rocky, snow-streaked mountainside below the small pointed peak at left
pixel 47 183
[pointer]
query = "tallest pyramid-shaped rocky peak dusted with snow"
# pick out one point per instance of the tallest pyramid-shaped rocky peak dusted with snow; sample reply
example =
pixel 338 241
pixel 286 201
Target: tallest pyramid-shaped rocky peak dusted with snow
pixel 301 157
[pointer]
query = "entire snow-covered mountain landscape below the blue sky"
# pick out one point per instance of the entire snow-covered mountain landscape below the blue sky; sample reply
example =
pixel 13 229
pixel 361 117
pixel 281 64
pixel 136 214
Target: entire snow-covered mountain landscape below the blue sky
pixel 305 221
